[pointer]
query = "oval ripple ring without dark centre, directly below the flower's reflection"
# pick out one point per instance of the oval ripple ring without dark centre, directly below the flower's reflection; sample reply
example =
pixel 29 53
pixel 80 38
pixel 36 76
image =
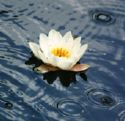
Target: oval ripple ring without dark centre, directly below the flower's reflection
pixel 70 108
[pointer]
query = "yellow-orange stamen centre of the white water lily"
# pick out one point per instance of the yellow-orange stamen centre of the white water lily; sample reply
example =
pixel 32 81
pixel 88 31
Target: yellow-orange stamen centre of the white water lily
pixel 61 52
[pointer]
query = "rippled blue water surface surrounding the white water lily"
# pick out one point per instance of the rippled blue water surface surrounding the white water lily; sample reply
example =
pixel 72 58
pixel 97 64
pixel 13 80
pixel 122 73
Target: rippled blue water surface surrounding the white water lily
pixel 97 96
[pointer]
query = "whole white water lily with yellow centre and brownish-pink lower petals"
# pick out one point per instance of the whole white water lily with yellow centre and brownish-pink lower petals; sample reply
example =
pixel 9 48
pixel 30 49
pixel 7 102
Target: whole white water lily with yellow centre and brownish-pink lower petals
pixel 59 52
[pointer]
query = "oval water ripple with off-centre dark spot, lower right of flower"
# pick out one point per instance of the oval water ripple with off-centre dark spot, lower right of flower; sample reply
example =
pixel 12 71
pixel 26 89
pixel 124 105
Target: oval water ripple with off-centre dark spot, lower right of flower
pixel 101 98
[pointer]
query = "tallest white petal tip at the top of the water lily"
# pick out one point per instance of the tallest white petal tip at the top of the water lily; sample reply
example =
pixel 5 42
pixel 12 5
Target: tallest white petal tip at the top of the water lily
pixel 54 36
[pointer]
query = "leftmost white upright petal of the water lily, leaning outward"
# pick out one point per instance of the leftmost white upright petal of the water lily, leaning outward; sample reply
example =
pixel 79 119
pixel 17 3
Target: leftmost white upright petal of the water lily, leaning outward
pixel 35 48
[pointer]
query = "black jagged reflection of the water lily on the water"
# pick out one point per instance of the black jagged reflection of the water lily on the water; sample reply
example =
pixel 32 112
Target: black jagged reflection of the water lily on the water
pixel 65 77
